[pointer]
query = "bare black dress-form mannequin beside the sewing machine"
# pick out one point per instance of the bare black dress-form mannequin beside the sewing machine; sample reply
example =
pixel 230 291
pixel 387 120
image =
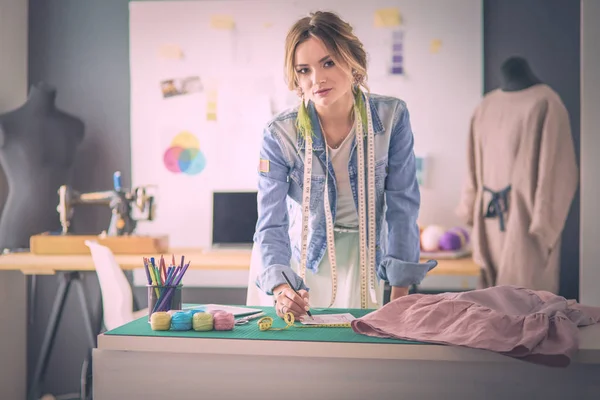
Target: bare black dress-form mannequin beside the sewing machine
pixel 37 149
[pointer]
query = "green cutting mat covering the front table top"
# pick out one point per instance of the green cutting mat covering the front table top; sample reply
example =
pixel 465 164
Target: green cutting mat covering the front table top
pixel 250 331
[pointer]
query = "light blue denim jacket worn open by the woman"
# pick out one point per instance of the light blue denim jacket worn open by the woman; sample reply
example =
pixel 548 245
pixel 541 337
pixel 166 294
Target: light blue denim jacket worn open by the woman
pixel 280 184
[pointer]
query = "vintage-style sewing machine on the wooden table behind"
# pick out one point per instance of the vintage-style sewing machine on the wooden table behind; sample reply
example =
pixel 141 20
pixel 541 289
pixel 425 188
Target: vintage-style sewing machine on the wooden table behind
pixel 123 204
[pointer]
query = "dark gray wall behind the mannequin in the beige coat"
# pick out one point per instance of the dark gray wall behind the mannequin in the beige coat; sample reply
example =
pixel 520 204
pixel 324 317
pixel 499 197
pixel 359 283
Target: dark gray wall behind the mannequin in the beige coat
pixel 547 34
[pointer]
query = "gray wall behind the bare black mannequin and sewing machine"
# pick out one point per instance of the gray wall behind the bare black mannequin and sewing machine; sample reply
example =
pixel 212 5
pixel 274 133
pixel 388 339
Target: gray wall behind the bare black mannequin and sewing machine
pixel 81 47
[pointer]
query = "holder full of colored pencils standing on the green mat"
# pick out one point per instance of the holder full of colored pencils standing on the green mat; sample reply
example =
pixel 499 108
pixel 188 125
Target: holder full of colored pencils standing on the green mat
pixel 164 284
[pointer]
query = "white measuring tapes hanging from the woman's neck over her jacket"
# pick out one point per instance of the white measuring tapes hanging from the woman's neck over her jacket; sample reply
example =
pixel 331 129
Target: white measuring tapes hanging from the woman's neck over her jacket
pixel 367 251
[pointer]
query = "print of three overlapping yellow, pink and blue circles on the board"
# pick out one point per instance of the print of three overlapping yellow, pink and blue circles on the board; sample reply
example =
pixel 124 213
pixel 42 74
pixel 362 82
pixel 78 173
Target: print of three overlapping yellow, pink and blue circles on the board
pixel 184 155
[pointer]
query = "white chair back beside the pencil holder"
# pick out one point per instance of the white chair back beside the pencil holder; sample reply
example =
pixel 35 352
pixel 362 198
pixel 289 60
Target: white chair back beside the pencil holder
pixel 117 296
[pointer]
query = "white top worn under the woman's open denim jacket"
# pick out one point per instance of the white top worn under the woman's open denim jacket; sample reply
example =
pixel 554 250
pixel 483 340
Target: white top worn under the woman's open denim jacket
pixel 346 214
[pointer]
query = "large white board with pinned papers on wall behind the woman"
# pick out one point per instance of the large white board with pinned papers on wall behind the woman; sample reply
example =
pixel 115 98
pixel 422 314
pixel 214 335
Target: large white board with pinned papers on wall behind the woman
pixel 228 55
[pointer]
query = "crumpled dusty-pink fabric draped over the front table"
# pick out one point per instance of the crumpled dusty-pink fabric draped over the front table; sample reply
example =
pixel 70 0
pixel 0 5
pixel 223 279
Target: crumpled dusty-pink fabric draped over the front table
pixel 535 326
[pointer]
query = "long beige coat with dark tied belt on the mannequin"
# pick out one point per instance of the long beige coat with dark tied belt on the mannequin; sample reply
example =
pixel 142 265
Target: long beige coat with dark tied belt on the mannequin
pixel 523 140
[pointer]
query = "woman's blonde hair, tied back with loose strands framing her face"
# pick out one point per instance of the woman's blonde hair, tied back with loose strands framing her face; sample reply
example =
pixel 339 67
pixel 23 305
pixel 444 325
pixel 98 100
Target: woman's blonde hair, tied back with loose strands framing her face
pixel 337 36
